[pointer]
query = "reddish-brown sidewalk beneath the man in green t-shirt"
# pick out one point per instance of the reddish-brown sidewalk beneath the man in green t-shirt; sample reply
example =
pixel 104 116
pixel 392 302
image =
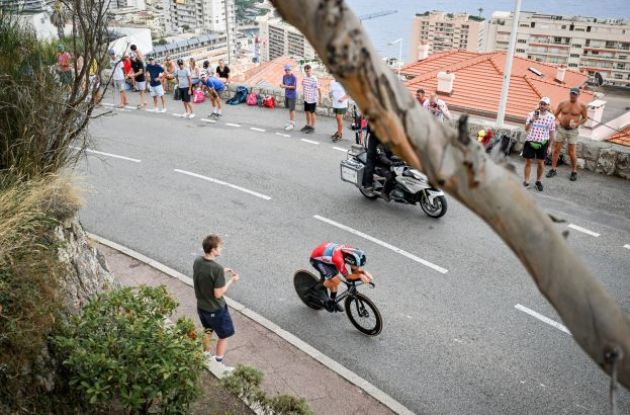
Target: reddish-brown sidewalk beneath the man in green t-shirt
pixel 286 368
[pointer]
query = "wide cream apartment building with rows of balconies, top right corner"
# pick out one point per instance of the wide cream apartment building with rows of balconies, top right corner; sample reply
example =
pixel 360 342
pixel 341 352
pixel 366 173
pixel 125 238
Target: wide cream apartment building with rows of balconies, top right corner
pixel 584 43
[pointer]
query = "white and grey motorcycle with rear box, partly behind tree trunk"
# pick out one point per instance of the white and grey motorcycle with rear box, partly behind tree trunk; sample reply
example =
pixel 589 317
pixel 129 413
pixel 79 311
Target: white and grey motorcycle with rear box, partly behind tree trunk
pixel 411 186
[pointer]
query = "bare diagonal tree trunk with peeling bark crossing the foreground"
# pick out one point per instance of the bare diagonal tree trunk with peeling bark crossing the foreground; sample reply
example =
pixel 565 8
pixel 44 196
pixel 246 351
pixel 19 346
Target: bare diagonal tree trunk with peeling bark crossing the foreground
pixel 461 167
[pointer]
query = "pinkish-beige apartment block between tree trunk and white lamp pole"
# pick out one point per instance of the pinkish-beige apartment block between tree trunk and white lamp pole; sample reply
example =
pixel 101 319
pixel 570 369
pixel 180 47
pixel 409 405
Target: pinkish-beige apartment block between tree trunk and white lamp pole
pixel 437 31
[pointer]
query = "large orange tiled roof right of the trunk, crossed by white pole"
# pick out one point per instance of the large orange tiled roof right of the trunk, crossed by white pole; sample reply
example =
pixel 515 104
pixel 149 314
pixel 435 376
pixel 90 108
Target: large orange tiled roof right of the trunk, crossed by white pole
pixel 479 78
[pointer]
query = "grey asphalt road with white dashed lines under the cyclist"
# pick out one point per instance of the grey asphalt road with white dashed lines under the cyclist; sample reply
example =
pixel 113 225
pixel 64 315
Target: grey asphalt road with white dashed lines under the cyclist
pixel 460 342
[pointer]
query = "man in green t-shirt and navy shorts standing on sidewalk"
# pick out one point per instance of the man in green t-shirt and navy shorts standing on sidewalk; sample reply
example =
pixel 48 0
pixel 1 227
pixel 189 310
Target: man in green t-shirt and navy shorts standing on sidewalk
pixel 210 286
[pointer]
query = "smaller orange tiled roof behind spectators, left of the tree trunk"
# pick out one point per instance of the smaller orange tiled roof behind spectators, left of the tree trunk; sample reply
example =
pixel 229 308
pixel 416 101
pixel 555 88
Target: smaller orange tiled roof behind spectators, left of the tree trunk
pixel 269 75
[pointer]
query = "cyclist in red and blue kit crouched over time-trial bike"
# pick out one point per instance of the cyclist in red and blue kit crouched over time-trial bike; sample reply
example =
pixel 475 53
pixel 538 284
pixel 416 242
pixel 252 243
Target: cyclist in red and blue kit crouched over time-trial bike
pixel 330 260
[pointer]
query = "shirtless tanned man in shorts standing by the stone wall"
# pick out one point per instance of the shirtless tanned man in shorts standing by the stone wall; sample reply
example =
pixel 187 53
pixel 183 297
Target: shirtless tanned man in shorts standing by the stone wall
pixel 570 115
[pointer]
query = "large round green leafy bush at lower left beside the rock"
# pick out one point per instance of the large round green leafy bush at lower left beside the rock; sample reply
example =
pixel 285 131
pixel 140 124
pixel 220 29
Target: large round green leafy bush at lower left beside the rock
pixel 121 351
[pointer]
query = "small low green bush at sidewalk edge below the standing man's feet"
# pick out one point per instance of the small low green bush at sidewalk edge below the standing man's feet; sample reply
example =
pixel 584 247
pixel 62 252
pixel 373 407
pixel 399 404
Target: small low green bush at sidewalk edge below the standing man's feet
pixel 245 382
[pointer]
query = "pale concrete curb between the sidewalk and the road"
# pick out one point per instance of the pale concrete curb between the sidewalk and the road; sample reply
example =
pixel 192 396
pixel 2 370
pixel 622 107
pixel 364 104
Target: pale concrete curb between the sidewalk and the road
pixel 342 371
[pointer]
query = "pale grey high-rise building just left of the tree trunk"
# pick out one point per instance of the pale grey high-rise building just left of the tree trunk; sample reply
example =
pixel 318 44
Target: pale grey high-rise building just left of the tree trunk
pixel 281 39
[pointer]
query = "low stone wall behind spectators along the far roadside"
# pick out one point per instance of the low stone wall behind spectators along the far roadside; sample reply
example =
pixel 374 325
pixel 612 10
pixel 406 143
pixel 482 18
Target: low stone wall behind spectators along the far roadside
pixel 598 156
